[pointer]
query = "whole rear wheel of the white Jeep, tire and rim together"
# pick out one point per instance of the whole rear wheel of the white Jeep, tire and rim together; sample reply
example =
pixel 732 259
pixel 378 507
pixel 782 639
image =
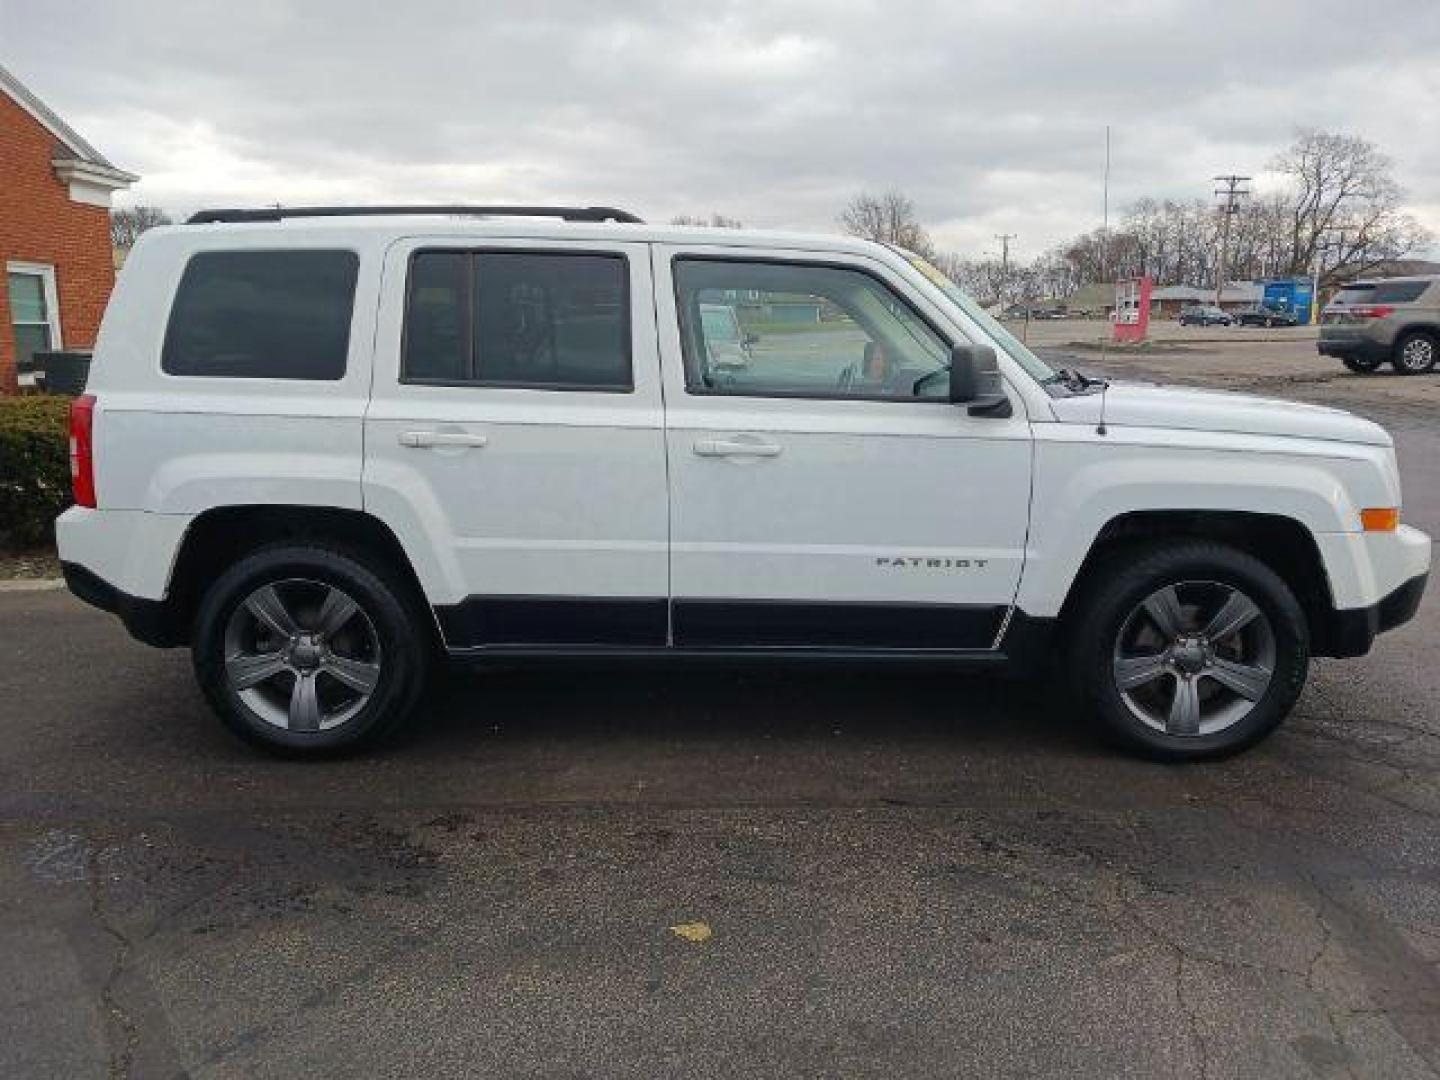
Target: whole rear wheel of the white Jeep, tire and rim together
pixel 310 652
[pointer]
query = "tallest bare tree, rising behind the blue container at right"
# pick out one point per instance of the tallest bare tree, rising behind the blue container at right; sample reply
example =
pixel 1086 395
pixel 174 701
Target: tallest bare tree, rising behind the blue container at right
pixel 1346 207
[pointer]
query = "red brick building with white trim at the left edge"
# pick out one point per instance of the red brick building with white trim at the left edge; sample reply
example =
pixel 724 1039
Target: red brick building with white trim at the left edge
pixel 55 192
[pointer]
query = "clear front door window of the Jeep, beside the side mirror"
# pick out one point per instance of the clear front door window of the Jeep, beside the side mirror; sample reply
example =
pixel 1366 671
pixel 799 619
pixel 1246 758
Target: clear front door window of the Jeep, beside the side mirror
pixel 781 329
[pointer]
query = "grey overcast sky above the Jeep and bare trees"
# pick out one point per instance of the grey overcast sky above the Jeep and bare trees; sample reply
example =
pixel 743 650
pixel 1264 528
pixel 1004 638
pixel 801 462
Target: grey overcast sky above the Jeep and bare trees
pixel 990 114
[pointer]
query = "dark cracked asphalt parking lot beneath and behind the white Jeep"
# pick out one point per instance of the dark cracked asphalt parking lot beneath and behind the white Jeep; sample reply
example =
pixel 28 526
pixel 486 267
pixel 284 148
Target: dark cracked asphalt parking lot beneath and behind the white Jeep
pixel 904 873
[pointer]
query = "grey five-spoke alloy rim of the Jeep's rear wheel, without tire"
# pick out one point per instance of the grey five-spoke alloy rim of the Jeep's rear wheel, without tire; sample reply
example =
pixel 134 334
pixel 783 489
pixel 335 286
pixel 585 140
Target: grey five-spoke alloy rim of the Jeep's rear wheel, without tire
pixel 302 654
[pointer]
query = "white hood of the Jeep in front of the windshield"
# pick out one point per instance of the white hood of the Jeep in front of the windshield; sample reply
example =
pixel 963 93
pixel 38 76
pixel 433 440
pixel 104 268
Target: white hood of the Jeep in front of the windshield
pixel 1146 405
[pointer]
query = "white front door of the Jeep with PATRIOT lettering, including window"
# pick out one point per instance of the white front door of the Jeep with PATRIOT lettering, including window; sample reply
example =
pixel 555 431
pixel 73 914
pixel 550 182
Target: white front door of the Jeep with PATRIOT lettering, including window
pixel 824 493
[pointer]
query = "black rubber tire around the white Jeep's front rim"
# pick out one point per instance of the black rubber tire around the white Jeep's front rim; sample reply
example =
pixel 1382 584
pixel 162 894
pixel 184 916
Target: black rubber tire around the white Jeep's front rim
pixel 1120 585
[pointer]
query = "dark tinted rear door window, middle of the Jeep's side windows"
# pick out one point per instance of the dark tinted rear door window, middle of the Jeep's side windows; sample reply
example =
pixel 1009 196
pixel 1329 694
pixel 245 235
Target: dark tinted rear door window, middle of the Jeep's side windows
pixel 538 320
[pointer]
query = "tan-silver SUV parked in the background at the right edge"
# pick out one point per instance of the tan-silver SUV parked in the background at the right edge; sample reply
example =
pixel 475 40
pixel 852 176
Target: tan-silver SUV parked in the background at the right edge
pixel 1395 319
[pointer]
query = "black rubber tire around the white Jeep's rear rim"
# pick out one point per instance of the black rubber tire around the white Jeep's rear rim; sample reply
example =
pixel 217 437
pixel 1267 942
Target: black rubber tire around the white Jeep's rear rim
pixel 394 617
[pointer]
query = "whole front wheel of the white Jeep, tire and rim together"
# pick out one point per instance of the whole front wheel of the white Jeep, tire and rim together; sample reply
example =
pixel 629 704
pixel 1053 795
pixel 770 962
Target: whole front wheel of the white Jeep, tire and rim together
pixel 1190 652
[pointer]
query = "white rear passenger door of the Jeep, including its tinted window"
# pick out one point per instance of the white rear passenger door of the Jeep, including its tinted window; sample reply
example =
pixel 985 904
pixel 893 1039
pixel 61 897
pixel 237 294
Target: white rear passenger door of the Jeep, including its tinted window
pixel 515 440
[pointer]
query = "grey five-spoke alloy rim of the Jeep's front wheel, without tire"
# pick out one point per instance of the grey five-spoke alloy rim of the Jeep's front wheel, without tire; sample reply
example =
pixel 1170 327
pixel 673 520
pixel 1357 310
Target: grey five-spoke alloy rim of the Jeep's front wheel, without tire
pixel 1194 659
